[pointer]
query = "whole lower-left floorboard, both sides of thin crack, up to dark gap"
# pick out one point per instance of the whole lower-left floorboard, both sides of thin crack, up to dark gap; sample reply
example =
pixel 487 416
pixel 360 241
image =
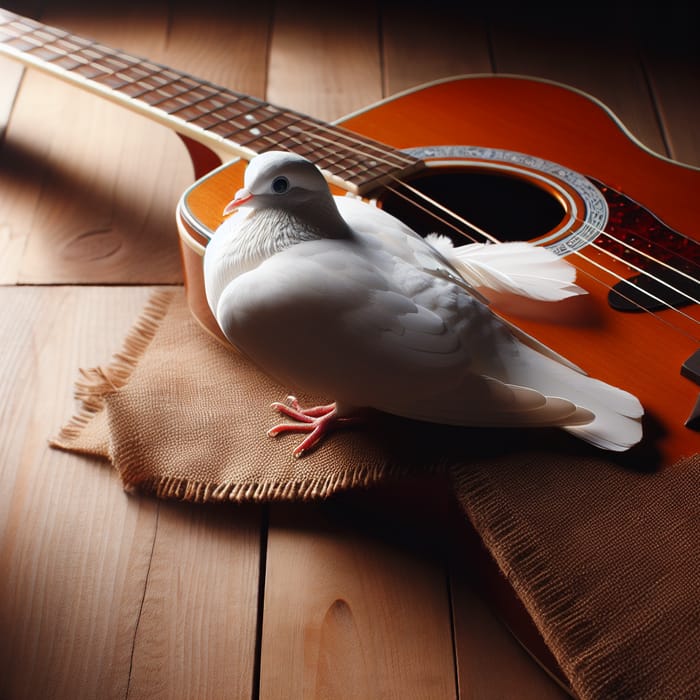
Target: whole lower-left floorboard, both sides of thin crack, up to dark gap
pixel 103 594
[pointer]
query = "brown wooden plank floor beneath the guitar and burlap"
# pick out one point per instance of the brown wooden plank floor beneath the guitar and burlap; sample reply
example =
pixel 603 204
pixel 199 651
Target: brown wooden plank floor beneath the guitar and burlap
pixel 106 595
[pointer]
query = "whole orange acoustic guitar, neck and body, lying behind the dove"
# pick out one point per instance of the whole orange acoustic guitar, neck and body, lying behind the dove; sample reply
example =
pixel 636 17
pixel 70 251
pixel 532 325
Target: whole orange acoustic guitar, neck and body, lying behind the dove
pixel 475 157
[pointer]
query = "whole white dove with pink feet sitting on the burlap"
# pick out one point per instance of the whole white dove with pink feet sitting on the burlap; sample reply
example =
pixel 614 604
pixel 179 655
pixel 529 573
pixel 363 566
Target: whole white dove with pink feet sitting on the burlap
pixel 334 296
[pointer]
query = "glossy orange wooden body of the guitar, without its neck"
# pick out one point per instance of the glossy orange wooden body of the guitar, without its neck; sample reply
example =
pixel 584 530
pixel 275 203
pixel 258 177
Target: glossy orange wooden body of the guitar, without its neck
pixel 534 140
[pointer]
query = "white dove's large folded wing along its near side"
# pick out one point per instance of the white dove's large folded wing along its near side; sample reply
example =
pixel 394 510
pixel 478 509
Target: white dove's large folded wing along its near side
pixel 371 329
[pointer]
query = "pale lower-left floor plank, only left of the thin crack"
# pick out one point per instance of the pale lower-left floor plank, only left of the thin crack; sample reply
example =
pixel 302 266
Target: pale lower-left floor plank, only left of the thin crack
pixel 74 549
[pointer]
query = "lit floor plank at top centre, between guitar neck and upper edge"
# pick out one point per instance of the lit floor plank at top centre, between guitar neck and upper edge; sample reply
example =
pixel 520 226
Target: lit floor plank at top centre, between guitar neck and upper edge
pixel 324 57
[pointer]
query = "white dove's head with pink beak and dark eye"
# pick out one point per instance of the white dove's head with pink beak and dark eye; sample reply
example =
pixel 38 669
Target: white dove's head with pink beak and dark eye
pixel 291 183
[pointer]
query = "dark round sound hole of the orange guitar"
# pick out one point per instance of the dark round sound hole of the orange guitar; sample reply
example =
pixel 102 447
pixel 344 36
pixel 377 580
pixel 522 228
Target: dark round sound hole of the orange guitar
pixel 507 207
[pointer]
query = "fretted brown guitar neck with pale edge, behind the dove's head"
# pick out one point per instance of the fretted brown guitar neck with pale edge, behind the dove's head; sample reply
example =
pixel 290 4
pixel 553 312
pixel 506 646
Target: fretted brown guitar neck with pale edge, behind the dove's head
pixel 230 123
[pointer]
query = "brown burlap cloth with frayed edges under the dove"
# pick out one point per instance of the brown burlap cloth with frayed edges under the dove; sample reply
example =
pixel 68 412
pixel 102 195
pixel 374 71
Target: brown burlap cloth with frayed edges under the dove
pixel 605 559
